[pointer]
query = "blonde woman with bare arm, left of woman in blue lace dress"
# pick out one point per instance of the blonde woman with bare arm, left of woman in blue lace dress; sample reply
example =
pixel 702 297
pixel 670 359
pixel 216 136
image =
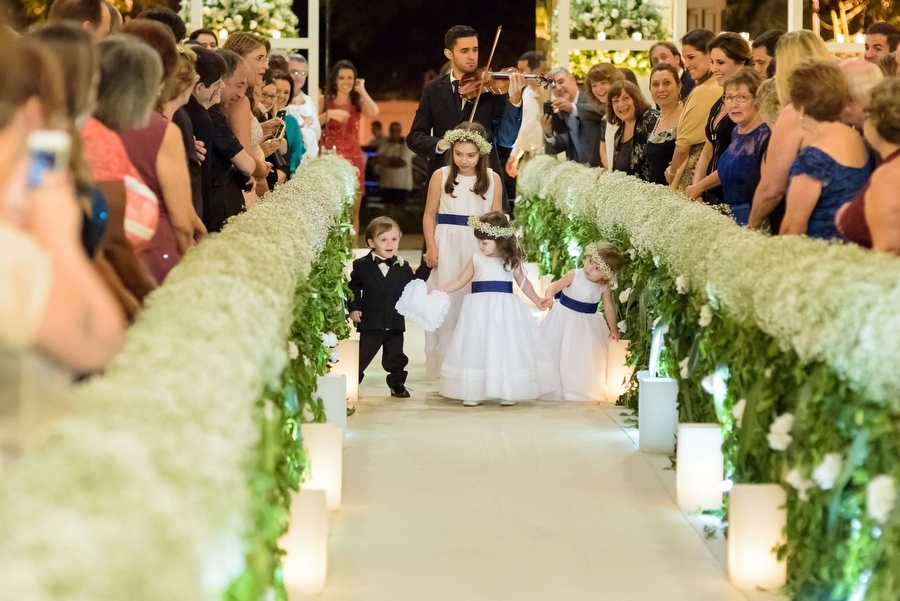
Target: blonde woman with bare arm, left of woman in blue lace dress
pixel 788 136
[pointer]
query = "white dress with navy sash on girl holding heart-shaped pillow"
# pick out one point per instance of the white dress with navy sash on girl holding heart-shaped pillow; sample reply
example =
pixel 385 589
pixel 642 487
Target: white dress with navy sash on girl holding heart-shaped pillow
pixel 497 350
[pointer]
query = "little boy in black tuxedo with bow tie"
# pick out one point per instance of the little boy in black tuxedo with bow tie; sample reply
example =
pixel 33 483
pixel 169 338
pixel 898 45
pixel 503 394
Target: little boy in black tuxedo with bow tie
pixel 377 281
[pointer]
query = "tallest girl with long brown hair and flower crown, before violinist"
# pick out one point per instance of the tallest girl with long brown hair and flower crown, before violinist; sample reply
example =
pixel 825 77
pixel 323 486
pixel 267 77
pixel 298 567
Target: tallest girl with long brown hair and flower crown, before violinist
pixel 465 187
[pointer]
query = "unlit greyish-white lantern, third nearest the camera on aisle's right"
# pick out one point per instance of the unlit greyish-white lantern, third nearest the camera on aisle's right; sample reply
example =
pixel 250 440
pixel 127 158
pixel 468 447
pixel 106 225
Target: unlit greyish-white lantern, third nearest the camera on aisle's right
pixel 657 414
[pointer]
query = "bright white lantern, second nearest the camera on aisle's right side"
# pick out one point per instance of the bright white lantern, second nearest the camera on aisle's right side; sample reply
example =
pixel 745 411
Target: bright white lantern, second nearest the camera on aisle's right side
pixel 699 468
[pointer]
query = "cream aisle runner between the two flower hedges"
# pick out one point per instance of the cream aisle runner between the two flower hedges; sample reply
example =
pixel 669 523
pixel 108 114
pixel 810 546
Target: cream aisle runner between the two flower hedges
pixel 538 501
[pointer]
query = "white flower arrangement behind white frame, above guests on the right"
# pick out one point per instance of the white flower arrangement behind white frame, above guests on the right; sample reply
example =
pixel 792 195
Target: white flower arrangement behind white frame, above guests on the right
pixel 613 20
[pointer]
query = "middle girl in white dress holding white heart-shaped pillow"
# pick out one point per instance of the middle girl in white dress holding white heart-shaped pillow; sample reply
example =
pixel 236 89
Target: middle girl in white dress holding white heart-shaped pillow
pixel 497 351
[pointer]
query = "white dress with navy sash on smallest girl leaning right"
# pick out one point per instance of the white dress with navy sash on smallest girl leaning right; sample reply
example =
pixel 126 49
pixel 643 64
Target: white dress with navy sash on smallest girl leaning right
pixel 578 338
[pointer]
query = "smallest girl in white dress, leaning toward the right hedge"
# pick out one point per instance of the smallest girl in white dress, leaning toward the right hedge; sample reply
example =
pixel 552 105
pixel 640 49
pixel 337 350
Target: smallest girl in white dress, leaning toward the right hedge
pixel 577 335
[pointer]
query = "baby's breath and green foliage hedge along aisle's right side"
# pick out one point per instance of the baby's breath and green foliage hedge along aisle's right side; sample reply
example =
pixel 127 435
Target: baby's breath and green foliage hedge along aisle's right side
pixel 784 341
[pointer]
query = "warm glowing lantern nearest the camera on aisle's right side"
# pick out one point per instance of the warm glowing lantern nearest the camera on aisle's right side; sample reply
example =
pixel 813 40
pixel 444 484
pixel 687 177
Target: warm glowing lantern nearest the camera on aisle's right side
pixel 756 519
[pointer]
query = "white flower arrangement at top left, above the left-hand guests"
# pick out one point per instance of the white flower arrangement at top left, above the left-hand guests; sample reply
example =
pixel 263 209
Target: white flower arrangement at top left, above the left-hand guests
pixel 269 18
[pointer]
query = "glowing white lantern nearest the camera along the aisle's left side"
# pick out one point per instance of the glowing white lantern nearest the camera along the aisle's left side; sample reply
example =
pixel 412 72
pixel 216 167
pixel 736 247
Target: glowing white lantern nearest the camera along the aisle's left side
pixel 305 563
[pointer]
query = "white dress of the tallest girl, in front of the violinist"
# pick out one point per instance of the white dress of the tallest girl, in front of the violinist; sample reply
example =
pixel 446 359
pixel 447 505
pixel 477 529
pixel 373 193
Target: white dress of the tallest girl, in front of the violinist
pixel 456 245
